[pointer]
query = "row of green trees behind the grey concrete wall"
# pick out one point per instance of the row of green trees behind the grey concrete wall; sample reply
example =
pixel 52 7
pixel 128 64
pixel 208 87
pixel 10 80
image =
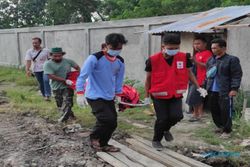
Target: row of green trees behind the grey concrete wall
pixel 29 13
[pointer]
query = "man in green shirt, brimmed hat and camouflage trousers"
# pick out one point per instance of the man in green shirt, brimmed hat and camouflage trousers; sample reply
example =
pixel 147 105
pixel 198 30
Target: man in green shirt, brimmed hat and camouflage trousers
pixel 57 69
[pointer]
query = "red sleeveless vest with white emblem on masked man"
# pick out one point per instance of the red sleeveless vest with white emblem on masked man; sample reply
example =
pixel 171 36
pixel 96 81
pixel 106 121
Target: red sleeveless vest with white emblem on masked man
pixel 168 81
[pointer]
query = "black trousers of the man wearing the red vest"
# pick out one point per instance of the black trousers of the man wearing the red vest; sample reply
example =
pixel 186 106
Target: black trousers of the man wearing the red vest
pixel 168 113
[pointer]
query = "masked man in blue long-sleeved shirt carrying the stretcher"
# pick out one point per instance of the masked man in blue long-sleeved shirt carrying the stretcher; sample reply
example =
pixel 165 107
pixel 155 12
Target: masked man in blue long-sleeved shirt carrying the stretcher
pixel 105 74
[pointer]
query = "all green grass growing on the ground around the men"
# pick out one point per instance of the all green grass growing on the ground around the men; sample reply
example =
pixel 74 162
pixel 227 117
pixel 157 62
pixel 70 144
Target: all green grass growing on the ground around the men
pixel 24 97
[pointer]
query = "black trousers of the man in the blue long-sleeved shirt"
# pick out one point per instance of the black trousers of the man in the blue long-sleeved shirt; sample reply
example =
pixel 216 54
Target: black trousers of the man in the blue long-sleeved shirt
pixel 106 119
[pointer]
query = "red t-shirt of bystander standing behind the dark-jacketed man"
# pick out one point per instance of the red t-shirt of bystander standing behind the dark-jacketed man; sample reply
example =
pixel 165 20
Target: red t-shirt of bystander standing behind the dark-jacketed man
pixel 202 57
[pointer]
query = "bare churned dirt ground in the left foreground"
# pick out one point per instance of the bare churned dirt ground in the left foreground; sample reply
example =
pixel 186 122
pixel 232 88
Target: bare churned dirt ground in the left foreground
pixel 26 140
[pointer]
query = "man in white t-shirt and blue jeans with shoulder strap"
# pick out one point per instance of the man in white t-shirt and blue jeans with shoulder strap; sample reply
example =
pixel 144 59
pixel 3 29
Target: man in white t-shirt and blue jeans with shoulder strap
pixel 37 56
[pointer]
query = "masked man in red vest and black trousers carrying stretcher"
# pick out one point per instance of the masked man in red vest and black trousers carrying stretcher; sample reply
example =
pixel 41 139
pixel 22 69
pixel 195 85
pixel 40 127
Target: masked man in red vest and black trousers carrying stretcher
pixel 168 73
